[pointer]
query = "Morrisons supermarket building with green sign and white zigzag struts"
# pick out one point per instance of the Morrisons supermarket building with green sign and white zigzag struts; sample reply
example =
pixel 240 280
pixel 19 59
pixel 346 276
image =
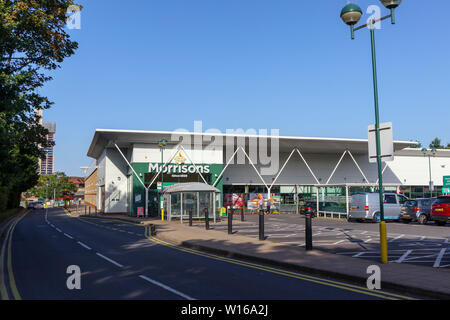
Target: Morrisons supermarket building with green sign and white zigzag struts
pixel 130 166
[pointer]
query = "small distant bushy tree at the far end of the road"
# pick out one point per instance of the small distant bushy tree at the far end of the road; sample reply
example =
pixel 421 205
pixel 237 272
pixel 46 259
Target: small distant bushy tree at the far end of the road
pixel 57 185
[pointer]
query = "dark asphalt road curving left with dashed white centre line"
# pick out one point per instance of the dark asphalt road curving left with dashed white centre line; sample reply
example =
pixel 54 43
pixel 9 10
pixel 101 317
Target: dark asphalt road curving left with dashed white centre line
pixel 118 261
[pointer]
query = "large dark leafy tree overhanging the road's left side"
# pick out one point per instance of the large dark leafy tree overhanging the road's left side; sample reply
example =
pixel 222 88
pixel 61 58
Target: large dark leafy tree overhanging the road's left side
pixel 33 42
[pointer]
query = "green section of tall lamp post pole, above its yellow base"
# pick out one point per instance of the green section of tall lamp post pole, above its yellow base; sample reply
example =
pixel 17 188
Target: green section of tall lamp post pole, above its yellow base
pixel 377 122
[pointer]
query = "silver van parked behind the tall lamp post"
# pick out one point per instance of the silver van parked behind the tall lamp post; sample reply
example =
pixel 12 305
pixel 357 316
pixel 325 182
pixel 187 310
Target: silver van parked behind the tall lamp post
pixel 366 206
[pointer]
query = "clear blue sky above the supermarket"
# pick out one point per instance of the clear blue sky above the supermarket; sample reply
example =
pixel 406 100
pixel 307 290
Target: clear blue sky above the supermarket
pixel 285 64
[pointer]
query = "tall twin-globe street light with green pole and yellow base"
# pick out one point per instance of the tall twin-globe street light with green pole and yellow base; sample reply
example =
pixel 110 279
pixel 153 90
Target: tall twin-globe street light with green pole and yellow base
pixel 351 14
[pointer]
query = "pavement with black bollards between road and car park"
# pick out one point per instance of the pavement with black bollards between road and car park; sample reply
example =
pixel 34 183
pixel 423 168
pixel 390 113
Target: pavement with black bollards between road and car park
pixel 408 279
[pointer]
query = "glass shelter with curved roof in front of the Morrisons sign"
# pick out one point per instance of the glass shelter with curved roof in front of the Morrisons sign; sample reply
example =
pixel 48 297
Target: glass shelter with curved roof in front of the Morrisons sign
pixel 181 198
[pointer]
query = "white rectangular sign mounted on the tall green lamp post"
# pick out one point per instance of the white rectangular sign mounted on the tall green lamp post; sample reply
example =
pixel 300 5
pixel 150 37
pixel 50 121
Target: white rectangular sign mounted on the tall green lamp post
pixel 386 142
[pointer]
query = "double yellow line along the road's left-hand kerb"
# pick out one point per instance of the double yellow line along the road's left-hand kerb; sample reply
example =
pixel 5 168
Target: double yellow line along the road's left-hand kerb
pixel 6 264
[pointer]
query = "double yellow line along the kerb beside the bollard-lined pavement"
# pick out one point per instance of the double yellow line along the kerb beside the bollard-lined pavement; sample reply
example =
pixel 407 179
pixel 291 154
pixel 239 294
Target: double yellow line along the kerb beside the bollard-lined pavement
pixel 286 273
